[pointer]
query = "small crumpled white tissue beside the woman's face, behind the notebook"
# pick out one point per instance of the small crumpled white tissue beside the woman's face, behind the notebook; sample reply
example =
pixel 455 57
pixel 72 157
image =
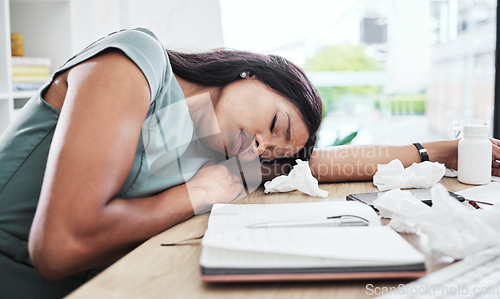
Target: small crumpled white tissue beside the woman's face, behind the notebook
pixel 300 178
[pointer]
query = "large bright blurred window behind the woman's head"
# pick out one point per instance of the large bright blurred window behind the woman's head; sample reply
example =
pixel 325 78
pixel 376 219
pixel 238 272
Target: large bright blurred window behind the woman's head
pixel 393 71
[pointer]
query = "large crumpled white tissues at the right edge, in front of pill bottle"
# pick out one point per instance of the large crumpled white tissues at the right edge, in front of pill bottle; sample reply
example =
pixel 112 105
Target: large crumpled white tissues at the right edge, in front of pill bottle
pixel 451 228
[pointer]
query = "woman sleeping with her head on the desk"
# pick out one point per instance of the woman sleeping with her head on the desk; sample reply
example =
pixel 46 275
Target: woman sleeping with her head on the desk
pixel 120 145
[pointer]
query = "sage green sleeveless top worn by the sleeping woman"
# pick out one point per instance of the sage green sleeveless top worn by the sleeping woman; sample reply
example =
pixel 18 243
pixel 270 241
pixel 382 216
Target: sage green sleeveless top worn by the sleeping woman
pixel 166 136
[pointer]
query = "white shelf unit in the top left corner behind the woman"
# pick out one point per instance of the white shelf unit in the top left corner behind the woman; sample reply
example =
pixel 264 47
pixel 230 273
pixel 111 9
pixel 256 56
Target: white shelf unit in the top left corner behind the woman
pixel 46 26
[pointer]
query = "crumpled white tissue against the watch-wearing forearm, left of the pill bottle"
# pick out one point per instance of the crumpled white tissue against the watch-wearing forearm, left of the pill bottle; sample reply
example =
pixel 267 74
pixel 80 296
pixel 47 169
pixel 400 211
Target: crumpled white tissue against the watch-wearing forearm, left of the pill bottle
pixel 419 175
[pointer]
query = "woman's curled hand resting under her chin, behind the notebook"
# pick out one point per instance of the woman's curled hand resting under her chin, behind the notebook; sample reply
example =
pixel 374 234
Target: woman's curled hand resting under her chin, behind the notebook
pixel 213 184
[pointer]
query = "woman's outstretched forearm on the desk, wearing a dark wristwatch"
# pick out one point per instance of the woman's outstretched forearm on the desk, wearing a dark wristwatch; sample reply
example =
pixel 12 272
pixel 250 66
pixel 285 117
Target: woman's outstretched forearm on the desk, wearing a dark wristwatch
pixel 359 163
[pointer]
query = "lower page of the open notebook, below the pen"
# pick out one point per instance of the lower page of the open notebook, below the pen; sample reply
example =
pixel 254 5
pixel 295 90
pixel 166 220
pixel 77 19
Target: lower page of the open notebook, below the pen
pixel 350 243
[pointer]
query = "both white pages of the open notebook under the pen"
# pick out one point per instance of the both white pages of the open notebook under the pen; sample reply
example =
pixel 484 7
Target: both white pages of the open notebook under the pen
pixel 228 229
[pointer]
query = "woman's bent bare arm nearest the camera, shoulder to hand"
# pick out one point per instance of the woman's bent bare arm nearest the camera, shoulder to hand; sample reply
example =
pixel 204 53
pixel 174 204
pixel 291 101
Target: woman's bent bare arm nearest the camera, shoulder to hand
pixel 79 223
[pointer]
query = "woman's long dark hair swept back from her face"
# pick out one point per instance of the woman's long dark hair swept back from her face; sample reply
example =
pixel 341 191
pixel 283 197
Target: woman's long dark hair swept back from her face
pixel 222 66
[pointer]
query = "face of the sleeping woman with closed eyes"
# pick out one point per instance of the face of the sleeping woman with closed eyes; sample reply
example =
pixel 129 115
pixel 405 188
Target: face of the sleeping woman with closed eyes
pixel 254 120
